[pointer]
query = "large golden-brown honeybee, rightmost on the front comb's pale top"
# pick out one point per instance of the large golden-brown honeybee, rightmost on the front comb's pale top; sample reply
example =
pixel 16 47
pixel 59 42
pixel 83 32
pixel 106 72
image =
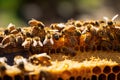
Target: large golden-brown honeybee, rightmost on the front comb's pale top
pixel 41 58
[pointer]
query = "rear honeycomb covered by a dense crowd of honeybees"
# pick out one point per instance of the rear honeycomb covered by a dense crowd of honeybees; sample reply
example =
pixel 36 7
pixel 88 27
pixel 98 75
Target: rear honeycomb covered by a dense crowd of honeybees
pixel 69 37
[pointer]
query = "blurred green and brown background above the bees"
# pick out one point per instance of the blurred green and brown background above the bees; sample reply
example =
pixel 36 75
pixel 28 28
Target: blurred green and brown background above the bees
pixel 19 12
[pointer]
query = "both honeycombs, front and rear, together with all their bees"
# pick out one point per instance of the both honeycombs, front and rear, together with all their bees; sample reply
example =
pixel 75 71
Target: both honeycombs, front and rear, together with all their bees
pixel 75 50
